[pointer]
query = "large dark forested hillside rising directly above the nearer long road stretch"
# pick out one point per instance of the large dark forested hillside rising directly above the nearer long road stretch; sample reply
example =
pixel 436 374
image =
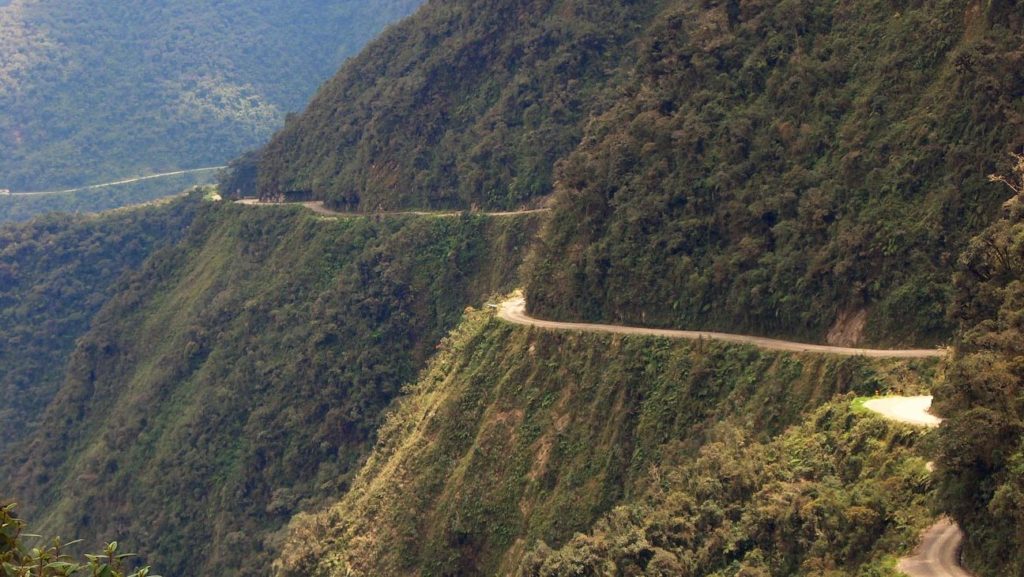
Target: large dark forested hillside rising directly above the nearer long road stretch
pixel 785 168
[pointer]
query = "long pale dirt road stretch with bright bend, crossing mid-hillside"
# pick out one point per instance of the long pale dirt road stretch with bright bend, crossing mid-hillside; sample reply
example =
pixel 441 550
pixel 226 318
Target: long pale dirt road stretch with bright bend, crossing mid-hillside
pixel 515 311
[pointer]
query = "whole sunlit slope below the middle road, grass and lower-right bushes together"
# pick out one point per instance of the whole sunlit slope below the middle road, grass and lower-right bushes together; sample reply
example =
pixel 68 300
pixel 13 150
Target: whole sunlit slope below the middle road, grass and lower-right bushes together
pixel 517 437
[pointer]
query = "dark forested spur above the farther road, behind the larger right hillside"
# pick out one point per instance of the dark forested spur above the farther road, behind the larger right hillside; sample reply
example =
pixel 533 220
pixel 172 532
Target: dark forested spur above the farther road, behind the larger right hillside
pixel 470 104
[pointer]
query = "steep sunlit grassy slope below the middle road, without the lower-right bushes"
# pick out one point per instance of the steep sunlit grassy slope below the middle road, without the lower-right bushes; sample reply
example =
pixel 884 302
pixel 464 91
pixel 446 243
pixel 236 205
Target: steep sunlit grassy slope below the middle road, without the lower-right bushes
pixel 517 435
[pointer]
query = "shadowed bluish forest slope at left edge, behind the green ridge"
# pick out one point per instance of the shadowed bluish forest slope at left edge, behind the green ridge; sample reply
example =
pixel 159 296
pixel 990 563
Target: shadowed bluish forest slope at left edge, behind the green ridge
pixel 56 274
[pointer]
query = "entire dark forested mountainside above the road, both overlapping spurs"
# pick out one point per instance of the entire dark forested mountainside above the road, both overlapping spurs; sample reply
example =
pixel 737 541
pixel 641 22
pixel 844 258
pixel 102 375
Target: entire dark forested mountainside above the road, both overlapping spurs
pixel 797 169
